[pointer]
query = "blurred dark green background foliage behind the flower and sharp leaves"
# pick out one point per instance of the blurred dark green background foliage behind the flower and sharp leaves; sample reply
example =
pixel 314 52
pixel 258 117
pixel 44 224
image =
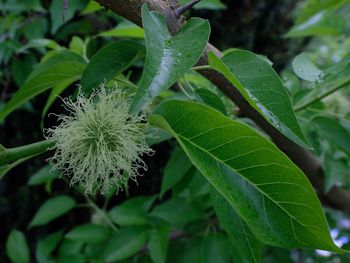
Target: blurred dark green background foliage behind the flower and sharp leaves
pixel 45 220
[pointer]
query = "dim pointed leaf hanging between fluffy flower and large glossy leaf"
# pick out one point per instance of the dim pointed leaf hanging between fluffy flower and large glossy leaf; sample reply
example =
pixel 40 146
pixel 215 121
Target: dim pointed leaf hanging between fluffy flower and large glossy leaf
pixel 176 168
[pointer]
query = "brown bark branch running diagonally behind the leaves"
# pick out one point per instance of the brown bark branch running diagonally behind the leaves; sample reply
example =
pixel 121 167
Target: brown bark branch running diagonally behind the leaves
pixel 337 198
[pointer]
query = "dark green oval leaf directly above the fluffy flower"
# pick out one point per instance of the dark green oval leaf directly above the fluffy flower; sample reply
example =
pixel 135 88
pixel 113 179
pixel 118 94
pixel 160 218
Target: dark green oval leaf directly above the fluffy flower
pixel 108 62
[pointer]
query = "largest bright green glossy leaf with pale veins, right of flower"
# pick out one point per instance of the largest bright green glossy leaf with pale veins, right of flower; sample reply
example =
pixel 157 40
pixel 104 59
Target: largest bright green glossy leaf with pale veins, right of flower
pixel 266 189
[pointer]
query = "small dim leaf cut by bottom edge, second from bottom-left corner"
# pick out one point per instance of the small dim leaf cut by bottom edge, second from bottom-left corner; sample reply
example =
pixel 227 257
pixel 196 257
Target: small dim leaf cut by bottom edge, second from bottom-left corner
pixel 46 246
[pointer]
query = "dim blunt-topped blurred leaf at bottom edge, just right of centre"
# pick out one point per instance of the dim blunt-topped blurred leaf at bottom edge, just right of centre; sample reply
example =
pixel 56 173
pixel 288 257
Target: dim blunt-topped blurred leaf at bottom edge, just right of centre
pixel 215 249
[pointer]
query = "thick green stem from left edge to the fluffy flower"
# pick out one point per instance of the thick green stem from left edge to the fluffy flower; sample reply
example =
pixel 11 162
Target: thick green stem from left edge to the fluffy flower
pixel 8 156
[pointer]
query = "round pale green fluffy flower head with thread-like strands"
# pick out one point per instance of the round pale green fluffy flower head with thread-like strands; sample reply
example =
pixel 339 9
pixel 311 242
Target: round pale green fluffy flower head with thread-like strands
pixel 99 143
